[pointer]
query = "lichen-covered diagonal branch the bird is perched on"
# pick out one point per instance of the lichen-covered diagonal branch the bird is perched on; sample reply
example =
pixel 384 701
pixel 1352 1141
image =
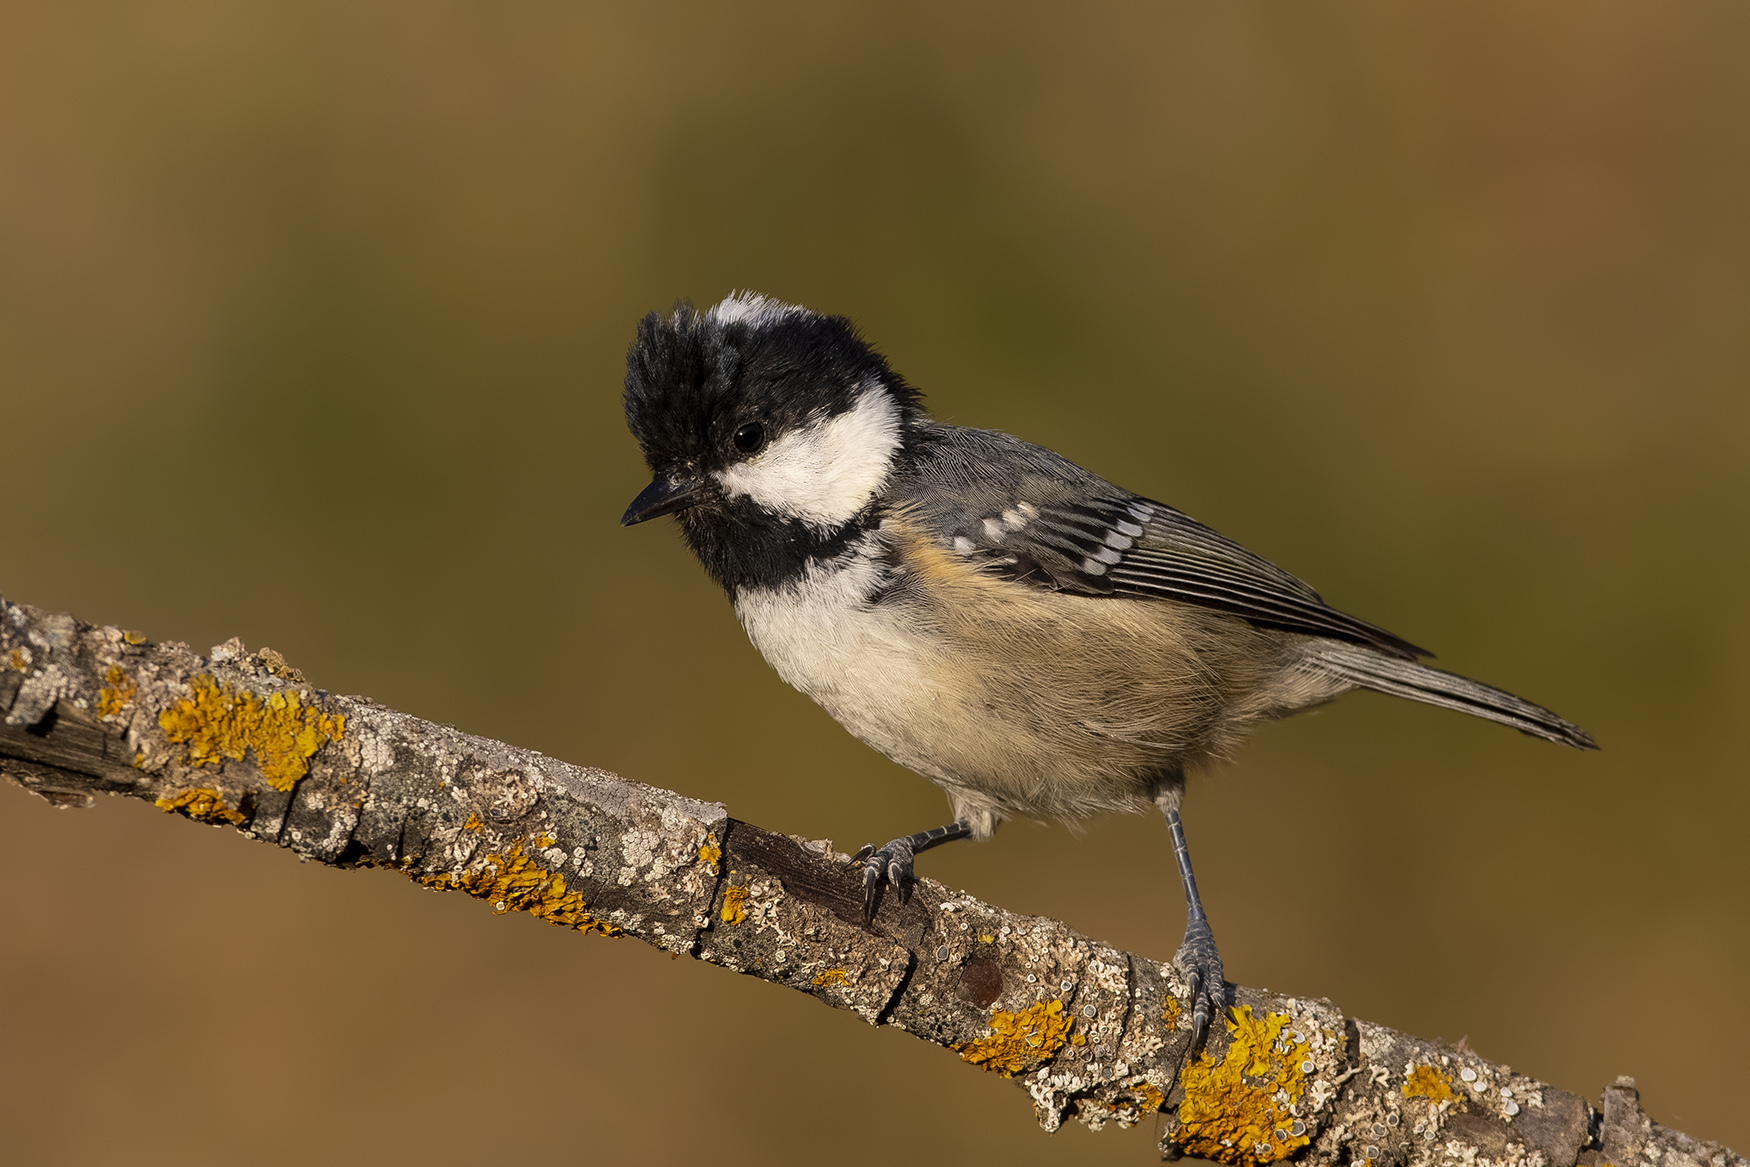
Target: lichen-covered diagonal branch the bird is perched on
pixel 1089 1031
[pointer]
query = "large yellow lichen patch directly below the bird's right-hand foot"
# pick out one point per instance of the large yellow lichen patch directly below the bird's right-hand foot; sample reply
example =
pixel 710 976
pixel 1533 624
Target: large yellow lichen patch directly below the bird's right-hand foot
pixel 1231 1112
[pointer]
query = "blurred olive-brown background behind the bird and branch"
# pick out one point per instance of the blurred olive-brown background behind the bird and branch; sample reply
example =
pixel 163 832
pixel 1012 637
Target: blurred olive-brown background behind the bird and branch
pixel 312 330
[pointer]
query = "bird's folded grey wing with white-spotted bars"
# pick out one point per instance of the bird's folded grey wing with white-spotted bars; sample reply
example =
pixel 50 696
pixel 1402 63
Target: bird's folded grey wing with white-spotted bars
pixel 1040 519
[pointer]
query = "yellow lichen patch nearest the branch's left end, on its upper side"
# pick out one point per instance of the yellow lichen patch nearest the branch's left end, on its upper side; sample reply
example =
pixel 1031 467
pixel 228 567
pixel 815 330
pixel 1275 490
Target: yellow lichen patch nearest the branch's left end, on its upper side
pixel 221 722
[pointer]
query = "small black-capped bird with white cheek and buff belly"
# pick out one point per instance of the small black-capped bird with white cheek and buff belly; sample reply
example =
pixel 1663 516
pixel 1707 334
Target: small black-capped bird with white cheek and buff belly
pixel 983 611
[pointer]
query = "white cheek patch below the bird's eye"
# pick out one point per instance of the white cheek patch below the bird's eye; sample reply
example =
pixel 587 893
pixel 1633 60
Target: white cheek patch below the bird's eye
pixel 827 472
